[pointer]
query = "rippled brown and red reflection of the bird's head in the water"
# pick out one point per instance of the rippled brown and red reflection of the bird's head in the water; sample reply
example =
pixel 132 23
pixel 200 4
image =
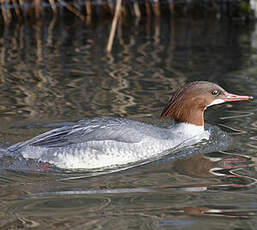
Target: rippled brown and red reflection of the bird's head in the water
pixel 222 165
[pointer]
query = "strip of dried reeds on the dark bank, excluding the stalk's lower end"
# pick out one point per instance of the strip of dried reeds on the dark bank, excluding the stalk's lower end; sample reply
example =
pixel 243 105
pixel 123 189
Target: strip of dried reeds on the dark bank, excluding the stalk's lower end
pixel 20 10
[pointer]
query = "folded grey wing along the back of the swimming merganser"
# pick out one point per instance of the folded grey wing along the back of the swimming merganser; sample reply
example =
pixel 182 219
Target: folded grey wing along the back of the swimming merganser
pixel 97 129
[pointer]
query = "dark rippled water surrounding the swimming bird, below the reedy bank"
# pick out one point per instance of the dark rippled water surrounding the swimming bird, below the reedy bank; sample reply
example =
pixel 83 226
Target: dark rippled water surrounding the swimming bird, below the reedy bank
pixel 57 72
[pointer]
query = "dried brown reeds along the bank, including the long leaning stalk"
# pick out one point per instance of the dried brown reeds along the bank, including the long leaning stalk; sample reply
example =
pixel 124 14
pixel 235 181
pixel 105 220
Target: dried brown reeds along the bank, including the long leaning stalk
pixel 88 10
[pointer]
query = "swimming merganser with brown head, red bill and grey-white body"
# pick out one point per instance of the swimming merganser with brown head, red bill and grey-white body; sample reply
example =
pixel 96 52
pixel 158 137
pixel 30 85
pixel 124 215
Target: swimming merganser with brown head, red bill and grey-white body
pixel 110 142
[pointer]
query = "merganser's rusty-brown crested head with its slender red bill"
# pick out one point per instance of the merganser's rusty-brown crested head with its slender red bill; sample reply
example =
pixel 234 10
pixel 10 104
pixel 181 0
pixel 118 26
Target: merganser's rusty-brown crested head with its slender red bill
pixel 188 103
